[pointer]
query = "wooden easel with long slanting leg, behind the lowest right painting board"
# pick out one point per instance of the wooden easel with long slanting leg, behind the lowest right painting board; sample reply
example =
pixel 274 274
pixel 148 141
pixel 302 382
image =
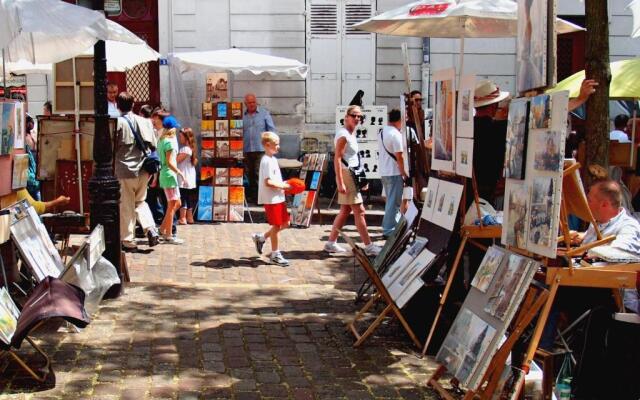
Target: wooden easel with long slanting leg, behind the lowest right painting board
pixel 468 233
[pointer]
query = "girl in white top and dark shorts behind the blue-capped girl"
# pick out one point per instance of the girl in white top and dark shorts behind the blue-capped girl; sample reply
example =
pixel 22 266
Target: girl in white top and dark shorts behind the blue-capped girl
pixel 187 161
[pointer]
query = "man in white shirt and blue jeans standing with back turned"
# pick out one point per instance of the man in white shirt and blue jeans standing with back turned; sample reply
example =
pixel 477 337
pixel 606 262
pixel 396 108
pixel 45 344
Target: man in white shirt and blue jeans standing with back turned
pixel 392 173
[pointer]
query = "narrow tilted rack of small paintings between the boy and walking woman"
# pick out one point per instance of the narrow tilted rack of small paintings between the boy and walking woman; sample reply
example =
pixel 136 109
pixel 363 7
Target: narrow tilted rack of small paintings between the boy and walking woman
pixel 303 204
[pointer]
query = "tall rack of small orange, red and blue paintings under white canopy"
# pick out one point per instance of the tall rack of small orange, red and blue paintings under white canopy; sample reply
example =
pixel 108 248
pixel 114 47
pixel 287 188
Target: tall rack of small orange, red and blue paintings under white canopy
pixel 221 131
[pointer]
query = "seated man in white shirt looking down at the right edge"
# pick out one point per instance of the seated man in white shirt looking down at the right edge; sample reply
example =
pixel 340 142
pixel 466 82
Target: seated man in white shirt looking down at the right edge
pixel 591 347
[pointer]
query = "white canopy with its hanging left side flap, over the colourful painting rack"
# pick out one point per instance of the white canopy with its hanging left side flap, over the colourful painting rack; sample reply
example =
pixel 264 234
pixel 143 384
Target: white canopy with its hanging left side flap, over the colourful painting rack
pixel 195 65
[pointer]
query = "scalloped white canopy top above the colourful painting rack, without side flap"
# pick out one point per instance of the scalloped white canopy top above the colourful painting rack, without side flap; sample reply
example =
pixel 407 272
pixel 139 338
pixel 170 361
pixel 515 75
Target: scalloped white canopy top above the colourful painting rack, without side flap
pixel 237 61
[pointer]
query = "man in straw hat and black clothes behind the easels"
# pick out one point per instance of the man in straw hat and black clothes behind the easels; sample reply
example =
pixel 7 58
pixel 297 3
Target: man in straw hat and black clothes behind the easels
pixel 490 135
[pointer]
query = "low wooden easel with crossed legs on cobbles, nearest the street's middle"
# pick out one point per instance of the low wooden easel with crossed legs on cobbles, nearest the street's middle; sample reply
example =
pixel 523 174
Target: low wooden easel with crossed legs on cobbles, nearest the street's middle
pixel 381 294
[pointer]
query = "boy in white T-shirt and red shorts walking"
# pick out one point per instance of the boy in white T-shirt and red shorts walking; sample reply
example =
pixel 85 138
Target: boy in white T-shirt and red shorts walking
pixel 271 193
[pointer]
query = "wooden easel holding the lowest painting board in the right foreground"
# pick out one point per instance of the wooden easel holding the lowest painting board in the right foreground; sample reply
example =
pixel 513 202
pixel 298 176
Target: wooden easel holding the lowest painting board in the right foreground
pixel 534 299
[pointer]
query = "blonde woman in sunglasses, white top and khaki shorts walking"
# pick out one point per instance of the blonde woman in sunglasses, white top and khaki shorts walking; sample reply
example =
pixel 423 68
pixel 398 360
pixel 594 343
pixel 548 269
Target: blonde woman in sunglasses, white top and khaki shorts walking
pixel 349 197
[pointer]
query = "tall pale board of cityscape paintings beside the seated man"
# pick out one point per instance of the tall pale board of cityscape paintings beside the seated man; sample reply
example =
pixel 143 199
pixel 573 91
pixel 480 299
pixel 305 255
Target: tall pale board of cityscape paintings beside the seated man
pixel 534 156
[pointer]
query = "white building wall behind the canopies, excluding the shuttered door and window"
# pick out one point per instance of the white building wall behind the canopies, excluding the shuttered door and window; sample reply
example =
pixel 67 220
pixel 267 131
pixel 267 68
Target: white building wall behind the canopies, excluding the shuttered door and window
pixel 277 27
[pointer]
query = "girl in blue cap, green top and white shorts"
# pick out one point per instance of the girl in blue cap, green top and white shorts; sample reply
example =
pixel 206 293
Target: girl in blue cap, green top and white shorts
pixel 169 173
